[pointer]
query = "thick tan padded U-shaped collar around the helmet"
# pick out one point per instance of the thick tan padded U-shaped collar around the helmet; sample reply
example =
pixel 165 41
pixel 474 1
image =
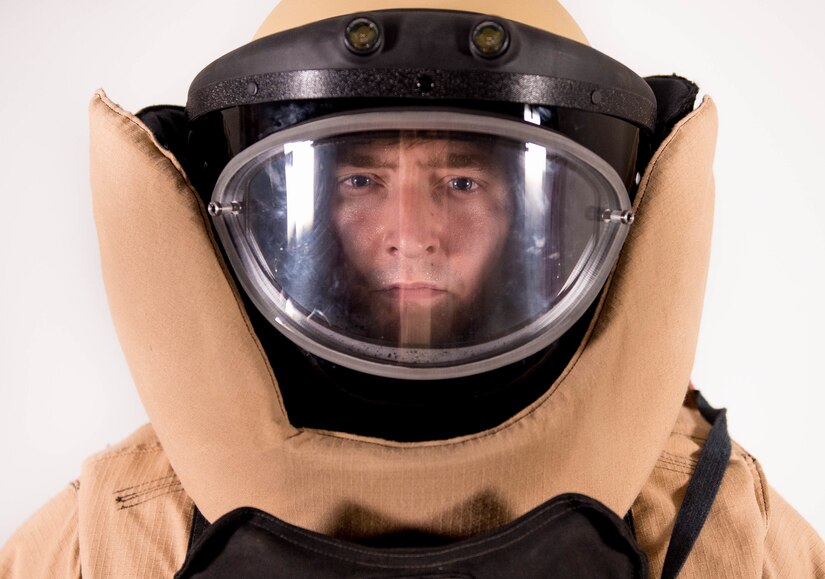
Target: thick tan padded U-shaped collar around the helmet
pixel 214 402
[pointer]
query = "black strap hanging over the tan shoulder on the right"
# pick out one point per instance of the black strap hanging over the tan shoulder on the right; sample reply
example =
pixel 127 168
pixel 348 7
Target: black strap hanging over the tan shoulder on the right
pixel 701 491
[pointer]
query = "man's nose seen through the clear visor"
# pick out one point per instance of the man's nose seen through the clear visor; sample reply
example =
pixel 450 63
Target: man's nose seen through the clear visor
pixel 417 220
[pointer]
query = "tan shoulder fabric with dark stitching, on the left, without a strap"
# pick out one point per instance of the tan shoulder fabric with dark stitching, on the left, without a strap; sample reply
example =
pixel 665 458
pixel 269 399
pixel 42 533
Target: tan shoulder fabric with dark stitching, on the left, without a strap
pixel 128 516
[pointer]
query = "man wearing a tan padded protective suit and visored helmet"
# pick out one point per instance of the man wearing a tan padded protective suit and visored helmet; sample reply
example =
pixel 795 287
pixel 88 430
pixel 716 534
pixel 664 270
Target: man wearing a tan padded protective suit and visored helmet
pixel 399 420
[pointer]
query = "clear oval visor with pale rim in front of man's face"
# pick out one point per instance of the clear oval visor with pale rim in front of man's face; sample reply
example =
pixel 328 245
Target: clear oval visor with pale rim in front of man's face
pixel 420 245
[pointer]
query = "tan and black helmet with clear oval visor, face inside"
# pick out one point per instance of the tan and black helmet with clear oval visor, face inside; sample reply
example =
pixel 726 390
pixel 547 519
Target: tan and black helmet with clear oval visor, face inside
pixel 420 190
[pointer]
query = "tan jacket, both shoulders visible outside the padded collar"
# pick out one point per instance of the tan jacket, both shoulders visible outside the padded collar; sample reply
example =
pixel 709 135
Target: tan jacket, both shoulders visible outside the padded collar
pixel 136 520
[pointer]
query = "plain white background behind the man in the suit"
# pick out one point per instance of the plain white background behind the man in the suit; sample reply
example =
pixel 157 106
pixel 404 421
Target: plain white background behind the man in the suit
pixel 65 390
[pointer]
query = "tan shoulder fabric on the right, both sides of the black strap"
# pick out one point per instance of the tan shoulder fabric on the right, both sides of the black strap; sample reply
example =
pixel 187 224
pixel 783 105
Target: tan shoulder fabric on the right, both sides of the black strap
pixel 750 531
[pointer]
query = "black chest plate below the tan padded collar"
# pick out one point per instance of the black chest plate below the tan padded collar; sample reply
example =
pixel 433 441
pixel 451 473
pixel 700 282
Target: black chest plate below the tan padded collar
pixel 569 536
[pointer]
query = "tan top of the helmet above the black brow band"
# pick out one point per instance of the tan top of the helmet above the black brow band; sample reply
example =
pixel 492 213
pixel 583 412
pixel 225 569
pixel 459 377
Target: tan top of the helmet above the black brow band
pixel 545 14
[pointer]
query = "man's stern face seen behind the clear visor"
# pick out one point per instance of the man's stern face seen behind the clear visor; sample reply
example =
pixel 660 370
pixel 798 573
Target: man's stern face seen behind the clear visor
pixel 422 224
